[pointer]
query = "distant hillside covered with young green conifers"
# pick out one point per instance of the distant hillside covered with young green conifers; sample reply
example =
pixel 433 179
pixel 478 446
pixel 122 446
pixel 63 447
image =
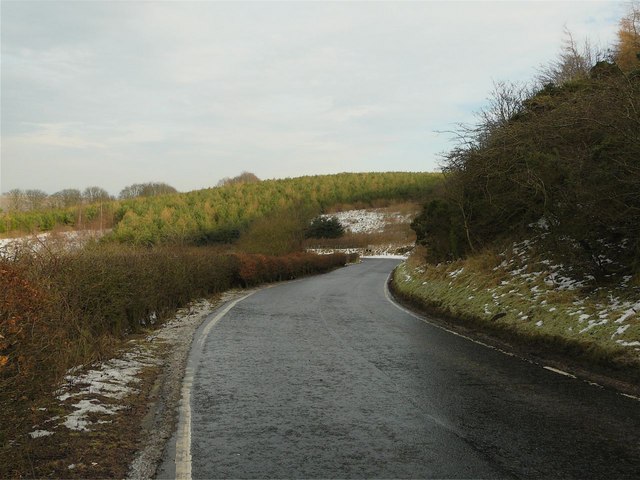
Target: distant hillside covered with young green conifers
pixel 222 214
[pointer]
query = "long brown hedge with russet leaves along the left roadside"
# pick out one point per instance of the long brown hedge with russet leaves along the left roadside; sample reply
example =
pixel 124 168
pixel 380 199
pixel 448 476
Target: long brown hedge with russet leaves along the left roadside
pixel 61 309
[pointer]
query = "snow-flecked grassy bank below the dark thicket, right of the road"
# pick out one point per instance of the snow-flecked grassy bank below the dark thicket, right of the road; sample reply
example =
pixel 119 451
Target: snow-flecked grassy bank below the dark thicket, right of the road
pixel 529 301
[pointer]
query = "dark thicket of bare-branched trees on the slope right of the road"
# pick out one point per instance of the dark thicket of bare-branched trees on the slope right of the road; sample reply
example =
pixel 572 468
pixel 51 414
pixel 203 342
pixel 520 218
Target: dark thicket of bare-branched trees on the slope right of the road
pixel 569 155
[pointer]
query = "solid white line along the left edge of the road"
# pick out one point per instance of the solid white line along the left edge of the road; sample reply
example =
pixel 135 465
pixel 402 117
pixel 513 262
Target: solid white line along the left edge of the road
pixel 183 435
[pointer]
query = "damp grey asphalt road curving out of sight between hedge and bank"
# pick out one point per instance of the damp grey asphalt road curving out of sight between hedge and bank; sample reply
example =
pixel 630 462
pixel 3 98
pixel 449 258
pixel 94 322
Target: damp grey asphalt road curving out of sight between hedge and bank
pixel 326 377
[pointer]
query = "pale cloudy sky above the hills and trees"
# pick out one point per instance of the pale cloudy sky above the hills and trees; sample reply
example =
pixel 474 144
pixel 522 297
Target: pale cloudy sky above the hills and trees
pixel 112 93
